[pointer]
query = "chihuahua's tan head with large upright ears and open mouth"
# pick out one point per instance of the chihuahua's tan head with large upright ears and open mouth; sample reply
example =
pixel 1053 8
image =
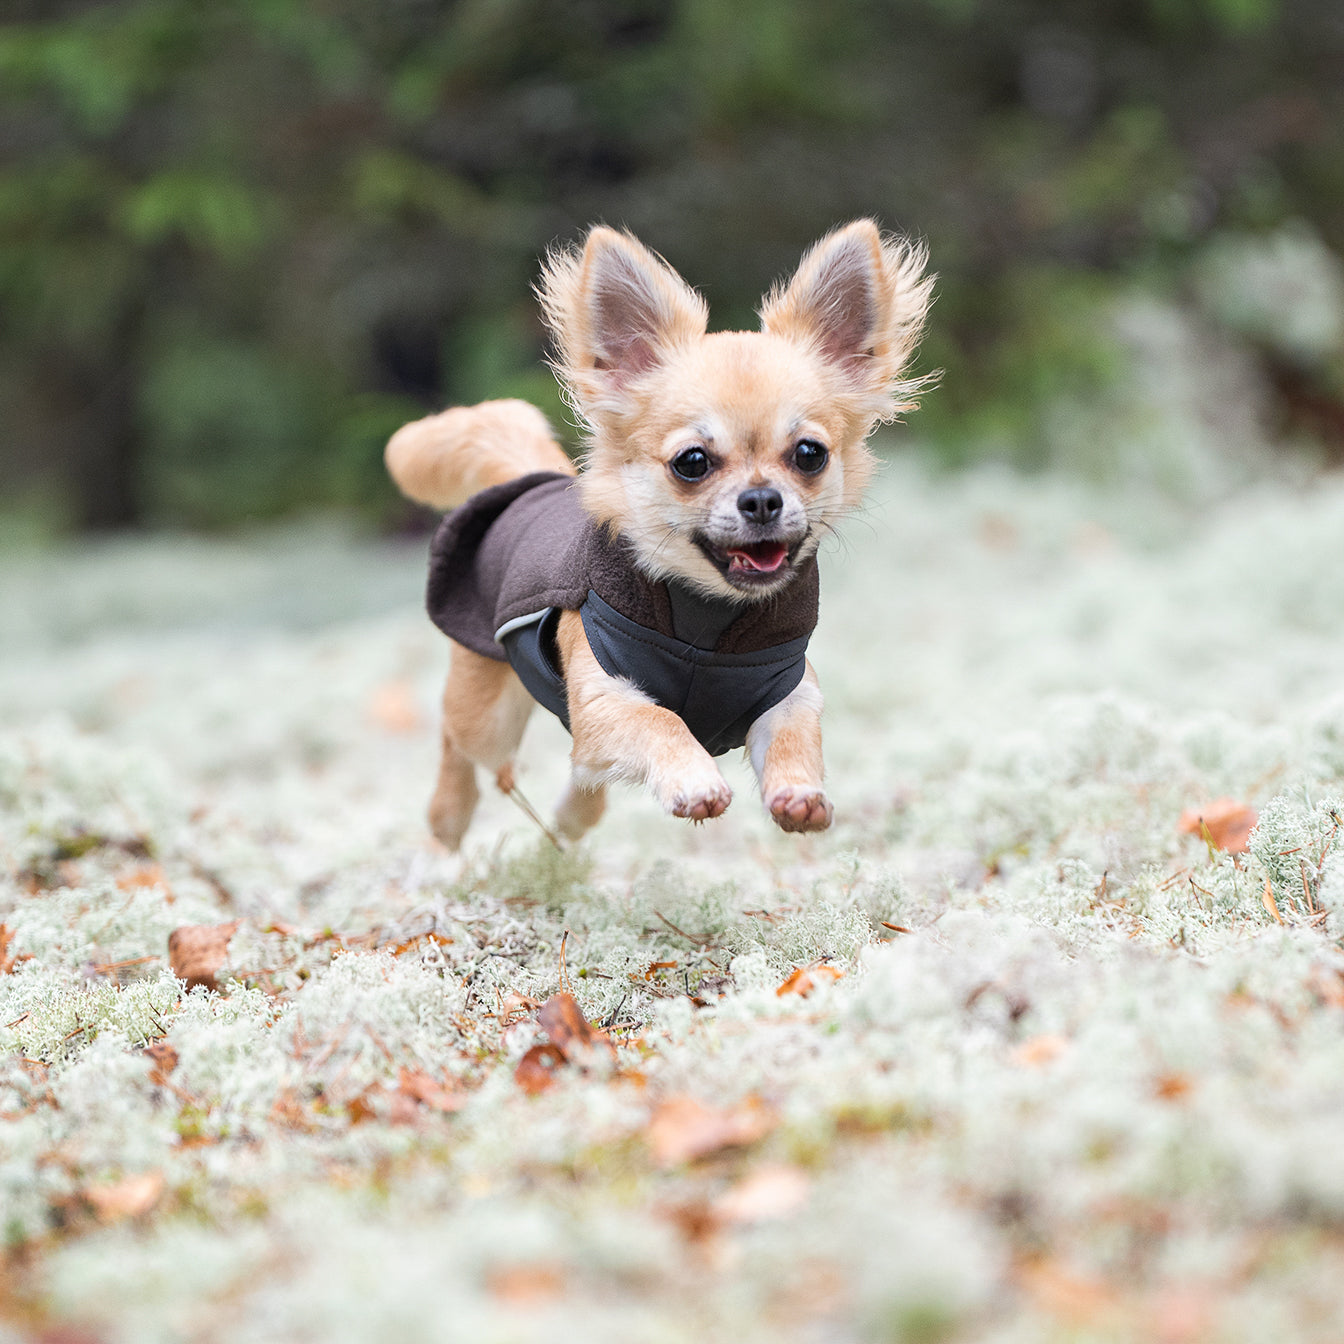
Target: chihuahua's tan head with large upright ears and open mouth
pixel 725 456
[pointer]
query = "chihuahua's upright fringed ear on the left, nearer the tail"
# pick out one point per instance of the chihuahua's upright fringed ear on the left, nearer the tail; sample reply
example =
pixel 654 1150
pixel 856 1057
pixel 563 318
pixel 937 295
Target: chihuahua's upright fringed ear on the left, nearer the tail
pixel 615 311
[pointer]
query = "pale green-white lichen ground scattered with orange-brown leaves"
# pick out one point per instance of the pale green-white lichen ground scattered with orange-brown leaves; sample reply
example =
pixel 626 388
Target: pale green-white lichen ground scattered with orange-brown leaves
pixel 1095 1093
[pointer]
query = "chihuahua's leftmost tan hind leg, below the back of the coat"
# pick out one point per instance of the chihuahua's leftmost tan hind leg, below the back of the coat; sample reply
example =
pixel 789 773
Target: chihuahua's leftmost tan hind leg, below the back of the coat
pixel 486 710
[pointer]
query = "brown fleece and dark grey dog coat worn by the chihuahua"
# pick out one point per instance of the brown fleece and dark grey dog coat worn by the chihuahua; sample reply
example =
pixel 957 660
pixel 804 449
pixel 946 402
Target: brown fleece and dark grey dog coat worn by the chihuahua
pixel 509 561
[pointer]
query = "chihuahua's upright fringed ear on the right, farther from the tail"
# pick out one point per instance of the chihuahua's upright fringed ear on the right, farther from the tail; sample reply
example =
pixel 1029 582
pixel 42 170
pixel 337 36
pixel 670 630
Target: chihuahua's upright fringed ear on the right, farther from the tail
pixel 861 302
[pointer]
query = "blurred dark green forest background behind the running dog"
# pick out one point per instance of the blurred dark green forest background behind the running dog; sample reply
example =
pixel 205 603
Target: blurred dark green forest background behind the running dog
pixel 243 241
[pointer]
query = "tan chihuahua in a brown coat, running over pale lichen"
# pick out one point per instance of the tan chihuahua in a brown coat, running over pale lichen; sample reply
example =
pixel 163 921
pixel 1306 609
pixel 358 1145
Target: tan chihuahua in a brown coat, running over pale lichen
pixel 661 601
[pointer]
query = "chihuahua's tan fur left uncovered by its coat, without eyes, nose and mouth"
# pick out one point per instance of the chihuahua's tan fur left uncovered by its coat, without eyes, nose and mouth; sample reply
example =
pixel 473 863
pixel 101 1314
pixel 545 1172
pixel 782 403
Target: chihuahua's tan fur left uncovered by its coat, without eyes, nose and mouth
pixel 648 382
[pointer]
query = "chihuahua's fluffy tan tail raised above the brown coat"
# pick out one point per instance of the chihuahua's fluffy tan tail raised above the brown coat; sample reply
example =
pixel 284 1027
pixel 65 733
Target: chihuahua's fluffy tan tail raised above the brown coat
pixel 446 459
